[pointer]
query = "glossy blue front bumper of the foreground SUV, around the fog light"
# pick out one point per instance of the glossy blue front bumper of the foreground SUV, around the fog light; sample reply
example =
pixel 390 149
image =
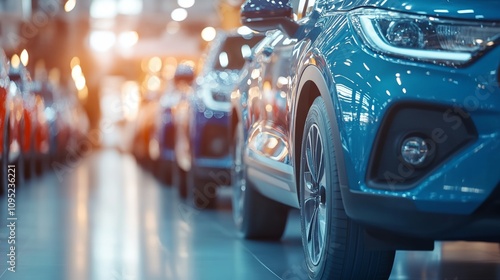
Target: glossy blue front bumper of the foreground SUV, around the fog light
pixel 447 201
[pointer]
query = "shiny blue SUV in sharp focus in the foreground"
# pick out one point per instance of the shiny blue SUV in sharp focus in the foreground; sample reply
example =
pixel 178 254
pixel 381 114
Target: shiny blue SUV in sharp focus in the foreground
pixel 378 120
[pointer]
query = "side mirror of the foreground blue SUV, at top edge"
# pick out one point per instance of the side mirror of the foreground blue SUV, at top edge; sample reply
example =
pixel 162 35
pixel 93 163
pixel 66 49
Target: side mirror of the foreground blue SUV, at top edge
pixel 265 15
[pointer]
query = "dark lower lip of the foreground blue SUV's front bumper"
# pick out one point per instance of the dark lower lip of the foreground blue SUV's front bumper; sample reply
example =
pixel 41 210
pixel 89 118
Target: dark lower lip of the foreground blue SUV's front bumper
pixel 402 216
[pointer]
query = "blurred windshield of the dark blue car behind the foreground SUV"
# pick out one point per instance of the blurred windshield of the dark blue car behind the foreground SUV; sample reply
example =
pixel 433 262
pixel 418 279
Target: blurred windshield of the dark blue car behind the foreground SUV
pixel 234 51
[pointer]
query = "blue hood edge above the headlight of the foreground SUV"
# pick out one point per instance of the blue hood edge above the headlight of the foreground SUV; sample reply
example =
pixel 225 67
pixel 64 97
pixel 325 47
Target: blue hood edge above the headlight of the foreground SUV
pixel 462 9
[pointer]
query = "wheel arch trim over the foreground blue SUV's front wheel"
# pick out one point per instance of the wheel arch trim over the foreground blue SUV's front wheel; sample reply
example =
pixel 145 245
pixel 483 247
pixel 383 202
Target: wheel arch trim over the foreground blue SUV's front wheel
pixel 314 82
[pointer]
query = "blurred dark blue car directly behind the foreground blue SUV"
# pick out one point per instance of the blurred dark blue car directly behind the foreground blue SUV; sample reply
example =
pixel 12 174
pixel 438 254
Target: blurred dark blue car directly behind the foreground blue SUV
pixel 205 158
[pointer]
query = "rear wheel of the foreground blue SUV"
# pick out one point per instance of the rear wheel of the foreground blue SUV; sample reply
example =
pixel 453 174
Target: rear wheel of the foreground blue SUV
pixel 255 216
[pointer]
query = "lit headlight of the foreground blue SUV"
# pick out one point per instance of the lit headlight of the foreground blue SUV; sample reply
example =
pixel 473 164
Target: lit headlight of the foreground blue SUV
pixel 424 38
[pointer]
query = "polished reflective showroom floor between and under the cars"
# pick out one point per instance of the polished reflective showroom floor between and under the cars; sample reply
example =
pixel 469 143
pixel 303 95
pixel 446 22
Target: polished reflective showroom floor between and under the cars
pixel 105 218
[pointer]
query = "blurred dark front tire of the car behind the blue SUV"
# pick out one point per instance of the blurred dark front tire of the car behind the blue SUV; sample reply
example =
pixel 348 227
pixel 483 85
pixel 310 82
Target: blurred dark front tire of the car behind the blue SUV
pixel 202 192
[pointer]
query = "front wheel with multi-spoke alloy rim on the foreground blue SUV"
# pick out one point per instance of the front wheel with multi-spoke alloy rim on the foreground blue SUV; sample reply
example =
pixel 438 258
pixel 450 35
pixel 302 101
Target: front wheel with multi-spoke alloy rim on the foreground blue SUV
pixel 340 252
